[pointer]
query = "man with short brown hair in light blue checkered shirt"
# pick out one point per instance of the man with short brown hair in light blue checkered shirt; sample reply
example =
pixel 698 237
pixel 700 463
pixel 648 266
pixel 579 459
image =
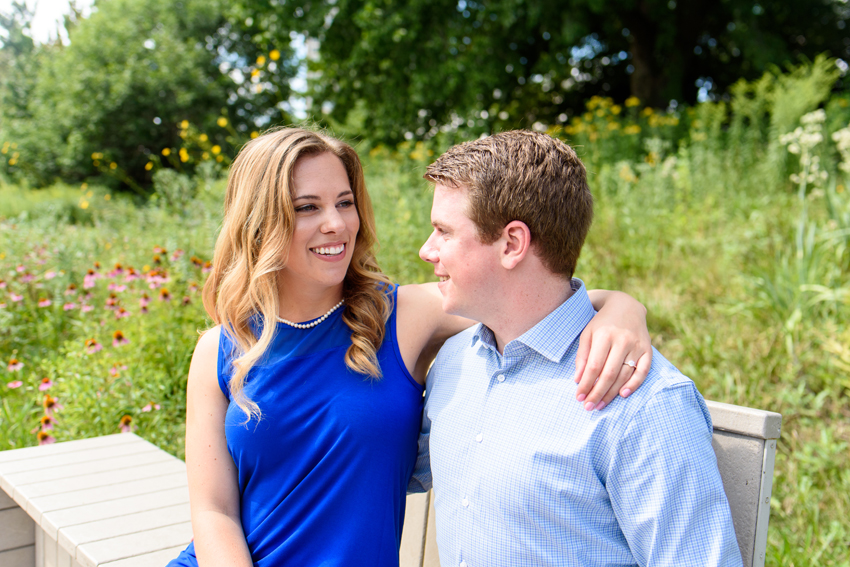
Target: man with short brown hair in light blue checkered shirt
pixel 522 476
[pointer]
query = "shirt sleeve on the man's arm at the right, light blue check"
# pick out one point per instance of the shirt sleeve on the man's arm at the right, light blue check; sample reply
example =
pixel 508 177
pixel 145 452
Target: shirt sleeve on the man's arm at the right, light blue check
pixel 665 488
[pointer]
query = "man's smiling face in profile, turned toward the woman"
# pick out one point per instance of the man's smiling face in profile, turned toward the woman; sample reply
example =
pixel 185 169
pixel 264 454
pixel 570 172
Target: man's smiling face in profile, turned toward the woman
pixel 464 265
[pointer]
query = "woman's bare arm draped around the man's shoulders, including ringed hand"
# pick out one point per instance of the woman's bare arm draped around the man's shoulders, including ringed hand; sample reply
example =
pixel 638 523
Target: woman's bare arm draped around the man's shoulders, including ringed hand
pixel 617 334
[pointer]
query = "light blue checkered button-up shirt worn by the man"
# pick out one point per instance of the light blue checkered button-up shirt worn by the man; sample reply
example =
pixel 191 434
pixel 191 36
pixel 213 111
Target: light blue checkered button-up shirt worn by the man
pixel 523 475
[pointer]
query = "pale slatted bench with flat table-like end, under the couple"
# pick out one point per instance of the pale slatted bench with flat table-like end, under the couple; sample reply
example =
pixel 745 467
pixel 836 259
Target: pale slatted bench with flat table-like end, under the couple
pixel 119 501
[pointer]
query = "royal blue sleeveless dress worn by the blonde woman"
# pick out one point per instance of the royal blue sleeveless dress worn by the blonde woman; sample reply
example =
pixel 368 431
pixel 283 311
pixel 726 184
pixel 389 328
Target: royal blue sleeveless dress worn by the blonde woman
pixel 323 474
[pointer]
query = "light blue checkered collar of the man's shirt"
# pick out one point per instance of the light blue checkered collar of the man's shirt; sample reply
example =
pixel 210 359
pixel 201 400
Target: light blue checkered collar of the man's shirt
pixel 554 335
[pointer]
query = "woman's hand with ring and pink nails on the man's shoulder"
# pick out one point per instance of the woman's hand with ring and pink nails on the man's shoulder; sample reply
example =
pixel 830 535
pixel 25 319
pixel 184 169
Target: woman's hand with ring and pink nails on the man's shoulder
pixel 614 353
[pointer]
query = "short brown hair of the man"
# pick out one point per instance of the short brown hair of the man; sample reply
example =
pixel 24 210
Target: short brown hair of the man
pixel 525 176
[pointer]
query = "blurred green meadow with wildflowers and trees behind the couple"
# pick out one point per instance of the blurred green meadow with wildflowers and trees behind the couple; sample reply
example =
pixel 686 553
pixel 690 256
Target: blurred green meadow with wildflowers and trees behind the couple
pixel 716 136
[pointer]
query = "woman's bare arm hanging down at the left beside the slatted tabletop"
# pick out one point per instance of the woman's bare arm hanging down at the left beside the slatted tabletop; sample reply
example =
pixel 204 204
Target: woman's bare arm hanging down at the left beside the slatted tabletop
pixel 213 486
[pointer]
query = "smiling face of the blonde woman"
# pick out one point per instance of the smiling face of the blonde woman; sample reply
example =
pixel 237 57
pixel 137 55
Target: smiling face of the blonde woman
pixel 326 224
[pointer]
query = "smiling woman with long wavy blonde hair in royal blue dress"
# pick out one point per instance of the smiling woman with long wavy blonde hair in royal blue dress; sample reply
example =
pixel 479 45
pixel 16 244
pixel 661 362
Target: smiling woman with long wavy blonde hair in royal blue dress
pixel 304 402
